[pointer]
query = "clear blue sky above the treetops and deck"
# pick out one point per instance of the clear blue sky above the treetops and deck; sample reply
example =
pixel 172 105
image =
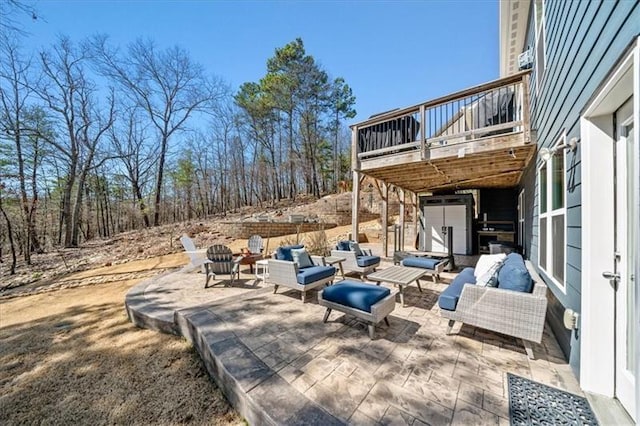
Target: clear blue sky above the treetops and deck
pixel 392 53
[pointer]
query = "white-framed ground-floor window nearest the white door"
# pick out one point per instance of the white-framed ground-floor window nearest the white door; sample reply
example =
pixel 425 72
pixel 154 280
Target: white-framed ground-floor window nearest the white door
pixel 551 191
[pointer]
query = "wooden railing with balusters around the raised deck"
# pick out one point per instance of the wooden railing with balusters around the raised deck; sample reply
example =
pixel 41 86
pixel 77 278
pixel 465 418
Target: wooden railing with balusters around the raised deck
pixel 496 108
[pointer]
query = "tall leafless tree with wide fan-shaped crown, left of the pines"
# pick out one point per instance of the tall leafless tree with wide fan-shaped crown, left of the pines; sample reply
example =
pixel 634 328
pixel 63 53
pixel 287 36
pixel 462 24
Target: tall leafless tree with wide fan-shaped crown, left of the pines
pixel 166 84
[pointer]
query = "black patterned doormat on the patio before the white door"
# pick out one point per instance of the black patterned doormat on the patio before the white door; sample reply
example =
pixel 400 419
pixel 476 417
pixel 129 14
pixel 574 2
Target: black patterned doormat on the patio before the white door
pixel 532 403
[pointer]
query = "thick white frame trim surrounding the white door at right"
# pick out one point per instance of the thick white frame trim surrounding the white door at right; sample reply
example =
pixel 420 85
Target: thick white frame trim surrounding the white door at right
pixel 597 362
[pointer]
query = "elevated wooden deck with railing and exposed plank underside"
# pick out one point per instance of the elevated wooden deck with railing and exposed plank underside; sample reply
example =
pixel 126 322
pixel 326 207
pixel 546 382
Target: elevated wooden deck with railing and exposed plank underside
pixel 475 138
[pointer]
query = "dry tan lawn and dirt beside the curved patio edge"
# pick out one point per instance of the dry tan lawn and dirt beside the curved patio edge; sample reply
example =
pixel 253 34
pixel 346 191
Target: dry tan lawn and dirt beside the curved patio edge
pixel 70 355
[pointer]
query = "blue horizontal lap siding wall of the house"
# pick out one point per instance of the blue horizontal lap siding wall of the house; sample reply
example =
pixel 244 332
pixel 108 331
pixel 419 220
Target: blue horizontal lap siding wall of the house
pixel 583 41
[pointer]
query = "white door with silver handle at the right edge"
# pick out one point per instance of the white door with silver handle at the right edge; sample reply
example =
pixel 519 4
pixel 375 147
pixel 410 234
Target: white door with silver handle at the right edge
pixel 626 241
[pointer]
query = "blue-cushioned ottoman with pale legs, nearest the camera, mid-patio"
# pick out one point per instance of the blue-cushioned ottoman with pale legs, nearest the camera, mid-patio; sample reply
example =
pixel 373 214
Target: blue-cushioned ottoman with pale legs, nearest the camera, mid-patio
pixel 368 302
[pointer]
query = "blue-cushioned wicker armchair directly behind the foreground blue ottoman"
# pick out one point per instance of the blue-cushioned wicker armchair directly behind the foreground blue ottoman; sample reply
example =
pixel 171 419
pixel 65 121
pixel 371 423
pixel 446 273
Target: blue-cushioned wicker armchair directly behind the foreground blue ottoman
pixel 284 271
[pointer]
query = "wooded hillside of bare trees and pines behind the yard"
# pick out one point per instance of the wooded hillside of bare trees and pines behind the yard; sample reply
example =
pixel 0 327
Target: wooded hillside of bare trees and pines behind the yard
pixel 98 139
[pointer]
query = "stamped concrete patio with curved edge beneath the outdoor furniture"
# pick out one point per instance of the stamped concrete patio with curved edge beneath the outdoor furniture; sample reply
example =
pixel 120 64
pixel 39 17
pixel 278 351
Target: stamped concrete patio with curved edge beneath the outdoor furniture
pixel 278 363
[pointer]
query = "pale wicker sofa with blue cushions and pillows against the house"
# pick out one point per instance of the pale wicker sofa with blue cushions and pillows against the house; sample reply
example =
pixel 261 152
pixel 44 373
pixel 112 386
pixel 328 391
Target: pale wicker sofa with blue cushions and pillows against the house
pixel 518 312
